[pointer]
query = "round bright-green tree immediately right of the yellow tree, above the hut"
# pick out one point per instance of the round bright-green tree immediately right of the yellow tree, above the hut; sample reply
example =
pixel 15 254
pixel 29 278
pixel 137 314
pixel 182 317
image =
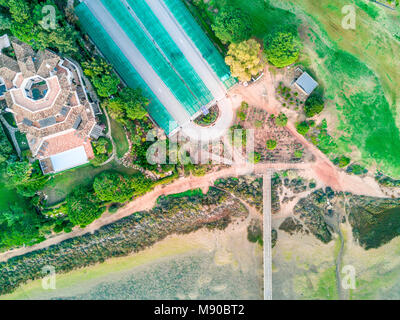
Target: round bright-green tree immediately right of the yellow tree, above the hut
pixel 281 47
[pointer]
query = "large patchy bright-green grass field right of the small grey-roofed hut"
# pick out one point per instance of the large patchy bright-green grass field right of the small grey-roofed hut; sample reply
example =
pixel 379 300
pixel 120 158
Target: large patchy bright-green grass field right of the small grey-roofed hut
pixel 359 70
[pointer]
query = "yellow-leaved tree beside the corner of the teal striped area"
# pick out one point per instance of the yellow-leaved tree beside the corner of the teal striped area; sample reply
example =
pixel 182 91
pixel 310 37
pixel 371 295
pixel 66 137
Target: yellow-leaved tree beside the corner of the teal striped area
pixel 244 59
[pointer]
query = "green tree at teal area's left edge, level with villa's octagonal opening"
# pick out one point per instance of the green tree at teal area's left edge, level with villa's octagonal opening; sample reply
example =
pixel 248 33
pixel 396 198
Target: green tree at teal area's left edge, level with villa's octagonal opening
pixel 102 76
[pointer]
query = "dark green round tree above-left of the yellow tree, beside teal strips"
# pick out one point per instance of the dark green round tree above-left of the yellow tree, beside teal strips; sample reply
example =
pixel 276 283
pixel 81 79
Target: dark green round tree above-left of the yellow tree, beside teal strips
pixel 232 25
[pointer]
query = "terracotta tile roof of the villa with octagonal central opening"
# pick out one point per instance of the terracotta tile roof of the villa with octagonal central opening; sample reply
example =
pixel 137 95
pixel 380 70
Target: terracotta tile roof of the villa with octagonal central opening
pixel 65 105
